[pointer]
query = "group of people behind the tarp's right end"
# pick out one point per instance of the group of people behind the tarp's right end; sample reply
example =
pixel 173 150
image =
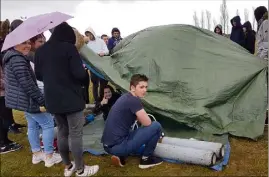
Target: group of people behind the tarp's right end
pixel 255 42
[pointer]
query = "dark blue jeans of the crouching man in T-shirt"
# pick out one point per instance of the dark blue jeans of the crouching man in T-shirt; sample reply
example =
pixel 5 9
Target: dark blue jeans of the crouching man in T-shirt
pixel 147 136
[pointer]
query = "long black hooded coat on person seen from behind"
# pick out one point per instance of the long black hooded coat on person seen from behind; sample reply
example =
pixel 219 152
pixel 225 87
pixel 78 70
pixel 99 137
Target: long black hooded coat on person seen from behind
pixel 59 65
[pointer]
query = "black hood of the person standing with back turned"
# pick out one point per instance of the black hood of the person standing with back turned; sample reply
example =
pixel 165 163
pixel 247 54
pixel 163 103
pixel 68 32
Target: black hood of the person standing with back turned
pixel 63 33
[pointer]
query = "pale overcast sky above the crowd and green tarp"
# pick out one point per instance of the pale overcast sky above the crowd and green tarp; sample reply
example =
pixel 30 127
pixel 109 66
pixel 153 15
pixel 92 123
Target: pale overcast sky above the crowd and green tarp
pixel 128 16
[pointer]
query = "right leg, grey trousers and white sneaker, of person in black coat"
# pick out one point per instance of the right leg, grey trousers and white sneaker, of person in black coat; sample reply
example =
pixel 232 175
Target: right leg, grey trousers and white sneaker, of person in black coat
pixel 75 123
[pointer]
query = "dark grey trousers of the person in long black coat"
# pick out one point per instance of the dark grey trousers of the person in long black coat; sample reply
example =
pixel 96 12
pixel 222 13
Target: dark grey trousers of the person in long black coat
pixel 71 125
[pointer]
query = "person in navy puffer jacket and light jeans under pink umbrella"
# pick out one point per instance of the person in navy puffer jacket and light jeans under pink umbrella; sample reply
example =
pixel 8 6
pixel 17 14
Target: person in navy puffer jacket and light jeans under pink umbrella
pixel 23 94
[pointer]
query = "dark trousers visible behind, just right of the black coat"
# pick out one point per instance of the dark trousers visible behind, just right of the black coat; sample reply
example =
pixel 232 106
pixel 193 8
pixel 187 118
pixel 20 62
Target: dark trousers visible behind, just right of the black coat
pixel 95 82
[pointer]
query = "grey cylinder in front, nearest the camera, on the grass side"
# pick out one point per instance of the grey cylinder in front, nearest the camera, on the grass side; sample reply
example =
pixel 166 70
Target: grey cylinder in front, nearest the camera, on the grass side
pixel 186 154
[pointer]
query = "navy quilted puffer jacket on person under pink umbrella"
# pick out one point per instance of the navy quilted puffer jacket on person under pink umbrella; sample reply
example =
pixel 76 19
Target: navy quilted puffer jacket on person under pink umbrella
pixel 21 90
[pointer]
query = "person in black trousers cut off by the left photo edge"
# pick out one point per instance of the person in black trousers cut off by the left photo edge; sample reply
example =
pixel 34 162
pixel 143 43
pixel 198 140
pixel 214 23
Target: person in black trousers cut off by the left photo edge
pixel 6 145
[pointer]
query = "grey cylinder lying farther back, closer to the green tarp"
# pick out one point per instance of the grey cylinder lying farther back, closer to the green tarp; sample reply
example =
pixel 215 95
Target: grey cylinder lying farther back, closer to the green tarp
pixel 217 148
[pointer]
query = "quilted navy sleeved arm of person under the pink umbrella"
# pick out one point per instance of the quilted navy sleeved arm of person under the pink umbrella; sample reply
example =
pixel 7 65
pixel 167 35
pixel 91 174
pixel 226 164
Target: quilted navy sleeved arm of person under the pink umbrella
pixel 22 73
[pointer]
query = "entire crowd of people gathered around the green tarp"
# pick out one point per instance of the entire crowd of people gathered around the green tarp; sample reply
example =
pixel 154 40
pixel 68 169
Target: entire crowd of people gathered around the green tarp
pixel 48 81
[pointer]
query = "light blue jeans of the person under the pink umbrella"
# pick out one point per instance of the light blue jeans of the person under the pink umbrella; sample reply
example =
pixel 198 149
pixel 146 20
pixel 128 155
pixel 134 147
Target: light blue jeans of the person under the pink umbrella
pixel 45 121
